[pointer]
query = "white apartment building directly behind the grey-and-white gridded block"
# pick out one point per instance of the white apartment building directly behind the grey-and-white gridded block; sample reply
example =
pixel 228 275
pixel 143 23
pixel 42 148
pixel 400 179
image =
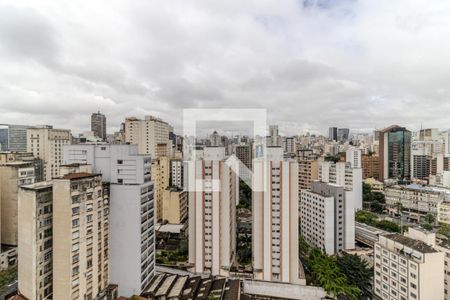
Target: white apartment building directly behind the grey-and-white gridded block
pixel 342 174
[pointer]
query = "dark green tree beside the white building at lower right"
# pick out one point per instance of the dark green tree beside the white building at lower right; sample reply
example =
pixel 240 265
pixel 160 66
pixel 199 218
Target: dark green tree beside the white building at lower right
pixel 357 271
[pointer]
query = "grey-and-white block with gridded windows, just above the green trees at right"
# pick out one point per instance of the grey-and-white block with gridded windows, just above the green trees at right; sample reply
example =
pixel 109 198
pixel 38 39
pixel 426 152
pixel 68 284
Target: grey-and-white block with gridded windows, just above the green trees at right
pixel 327 217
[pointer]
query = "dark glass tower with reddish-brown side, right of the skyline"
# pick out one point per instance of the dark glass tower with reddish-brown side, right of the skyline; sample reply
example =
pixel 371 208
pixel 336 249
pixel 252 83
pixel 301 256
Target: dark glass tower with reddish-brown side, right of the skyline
pixel 395 153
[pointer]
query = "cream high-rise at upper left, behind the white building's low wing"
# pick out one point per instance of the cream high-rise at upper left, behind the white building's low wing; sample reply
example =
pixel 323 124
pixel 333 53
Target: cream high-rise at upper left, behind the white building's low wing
pixel 47 144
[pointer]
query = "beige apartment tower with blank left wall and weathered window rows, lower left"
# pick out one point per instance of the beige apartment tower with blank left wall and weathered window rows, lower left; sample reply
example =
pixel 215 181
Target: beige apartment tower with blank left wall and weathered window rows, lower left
pixel 80 236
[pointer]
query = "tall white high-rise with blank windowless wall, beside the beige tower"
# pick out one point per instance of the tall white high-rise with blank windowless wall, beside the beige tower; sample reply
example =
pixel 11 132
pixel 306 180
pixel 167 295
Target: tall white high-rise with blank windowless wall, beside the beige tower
pixel 132 238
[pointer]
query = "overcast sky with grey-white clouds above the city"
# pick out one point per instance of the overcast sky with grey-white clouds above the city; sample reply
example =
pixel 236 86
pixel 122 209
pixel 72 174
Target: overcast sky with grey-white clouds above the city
pixel 312 63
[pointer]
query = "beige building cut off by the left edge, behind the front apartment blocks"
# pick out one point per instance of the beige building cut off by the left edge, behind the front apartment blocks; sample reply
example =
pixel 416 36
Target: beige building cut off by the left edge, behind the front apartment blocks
pixel 12 176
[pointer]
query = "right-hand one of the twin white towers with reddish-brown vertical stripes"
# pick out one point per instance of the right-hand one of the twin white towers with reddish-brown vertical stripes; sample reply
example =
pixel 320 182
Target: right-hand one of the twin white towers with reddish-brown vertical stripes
pixel 275 218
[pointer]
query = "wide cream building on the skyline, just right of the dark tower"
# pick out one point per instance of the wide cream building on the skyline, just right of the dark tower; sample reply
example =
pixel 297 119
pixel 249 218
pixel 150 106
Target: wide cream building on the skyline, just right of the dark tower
pixel 151 135
